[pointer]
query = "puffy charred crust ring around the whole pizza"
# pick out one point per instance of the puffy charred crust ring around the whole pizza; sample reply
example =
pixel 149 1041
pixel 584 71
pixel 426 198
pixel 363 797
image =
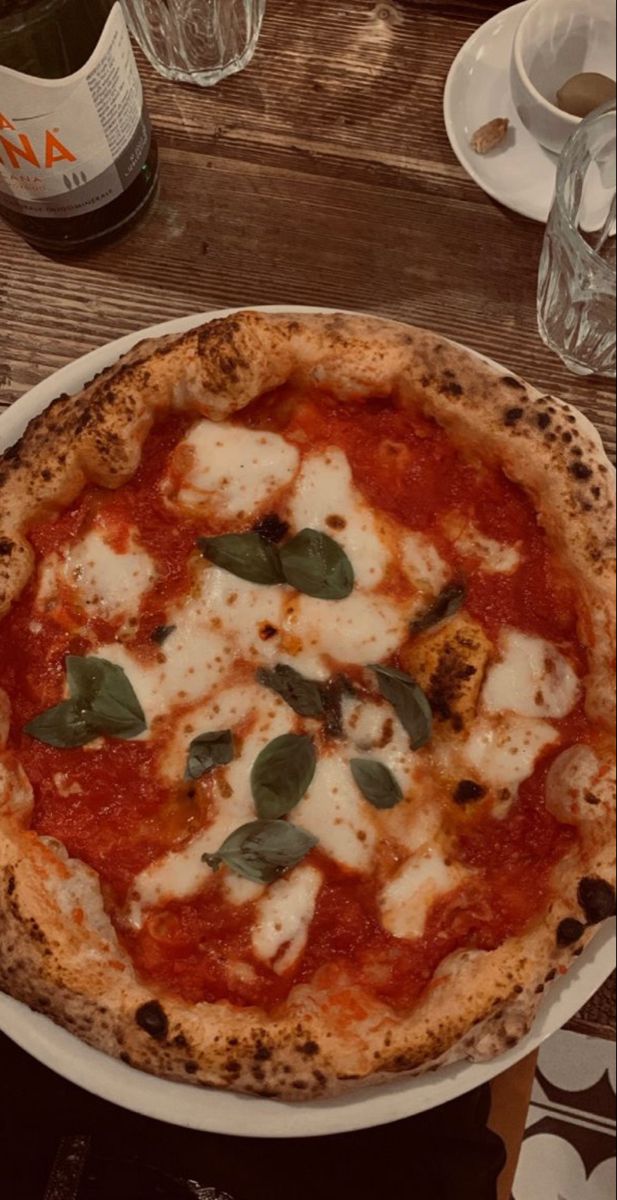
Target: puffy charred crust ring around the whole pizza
pixel 58 951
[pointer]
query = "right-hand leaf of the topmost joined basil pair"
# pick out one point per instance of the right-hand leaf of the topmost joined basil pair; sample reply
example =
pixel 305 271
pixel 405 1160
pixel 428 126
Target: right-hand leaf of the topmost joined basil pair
pixel 318 566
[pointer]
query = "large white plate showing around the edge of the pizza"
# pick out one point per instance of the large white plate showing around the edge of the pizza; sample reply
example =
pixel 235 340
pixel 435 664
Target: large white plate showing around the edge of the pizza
pixel 223 1112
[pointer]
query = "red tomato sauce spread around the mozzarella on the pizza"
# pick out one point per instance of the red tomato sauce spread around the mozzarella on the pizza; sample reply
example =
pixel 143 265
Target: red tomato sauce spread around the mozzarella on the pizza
pixel 107 806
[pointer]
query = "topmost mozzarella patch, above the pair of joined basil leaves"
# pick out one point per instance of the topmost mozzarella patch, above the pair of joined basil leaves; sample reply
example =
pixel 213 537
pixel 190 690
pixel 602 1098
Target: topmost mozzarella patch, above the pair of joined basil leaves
pixel 233 471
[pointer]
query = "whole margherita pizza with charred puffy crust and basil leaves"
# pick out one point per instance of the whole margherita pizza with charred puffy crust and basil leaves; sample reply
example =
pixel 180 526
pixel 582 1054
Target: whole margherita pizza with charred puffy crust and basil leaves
pixel 307 651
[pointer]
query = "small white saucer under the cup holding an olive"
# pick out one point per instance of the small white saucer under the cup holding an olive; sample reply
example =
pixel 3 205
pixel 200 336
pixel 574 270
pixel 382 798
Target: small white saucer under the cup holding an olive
pixel 519 173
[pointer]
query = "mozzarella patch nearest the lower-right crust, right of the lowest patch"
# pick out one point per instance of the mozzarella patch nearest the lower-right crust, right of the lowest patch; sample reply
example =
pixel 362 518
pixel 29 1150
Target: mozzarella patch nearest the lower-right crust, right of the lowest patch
pixel 409 897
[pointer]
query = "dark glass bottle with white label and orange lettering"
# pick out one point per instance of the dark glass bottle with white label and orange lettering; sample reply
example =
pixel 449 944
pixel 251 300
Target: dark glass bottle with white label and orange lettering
pixel 79 163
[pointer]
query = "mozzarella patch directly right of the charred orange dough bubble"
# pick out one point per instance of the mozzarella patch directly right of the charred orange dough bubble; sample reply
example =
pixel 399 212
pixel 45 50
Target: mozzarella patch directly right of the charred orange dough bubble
pixel 532 679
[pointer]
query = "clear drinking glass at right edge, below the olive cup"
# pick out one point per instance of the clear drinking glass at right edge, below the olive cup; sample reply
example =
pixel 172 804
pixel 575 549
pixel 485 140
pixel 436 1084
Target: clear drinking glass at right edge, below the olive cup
pixel 577 290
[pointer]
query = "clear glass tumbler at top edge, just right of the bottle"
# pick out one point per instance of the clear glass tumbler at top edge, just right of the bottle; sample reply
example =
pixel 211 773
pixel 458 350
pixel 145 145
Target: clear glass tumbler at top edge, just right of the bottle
pixel 197 41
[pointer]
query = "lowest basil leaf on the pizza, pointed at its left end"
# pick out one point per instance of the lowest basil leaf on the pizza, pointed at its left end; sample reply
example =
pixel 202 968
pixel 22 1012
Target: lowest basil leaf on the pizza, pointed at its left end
pixel 263 850
